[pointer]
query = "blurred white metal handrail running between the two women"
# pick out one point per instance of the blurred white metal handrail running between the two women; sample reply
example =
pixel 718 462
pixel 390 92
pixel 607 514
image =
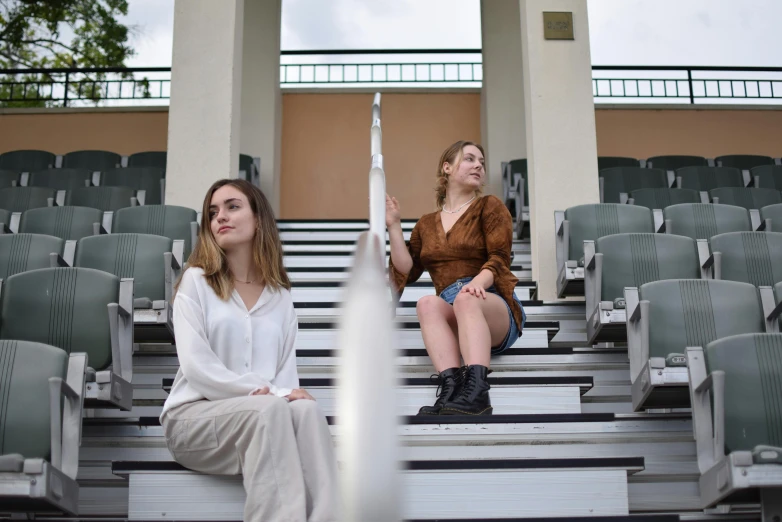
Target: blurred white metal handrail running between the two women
pixel 366 397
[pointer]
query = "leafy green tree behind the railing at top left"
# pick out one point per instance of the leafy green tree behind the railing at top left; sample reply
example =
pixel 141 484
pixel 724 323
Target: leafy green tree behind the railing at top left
pixel 57 34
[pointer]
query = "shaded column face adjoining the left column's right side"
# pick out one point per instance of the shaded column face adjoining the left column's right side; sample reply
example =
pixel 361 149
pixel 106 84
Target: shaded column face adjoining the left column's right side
pixel 261 116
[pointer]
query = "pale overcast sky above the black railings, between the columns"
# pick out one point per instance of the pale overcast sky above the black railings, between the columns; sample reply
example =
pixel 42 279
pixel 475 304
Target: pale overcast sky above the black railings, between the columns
pixel 622 32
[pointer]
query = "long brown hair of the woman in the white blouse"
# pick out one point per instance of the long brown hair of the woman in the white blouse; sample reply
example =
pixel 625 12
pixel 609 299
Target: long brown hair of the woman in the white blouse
pixel 266 249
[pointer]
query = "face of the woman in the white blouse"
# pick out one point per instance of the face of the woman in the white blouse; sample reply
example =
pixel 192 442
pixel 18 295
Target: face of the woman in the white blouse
pixel 231 218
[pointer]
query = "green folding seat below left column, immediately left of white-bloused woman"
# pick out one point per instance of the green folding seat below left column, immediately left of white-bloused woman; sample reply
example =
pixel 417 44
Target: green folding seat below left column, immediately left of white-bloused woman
pixel 161 220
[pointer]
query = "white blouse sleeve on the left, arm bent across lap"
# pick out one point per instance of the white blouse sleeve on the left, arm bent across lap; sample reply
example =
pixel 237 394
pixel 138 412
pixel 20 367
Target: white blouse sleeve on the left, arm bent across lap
pixel 202 368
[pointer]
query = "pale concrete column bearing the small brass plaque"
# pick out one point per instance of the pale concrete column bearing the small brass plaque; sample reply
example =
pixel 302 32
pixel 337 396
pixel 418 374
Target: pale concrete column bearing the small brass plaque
pixel 560 123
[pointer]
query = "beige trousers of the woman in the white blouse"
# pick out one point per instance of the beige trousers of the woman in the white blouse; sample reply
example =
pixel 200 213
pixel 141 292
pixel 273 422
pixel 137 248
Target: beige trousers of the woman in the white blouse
pixel 283 450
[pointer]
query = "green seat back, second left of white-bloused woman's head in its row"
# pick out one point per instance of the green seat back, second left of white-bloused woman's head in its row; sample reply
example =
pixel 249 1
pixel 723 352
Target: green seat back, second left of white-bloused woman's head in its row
pixel 68 223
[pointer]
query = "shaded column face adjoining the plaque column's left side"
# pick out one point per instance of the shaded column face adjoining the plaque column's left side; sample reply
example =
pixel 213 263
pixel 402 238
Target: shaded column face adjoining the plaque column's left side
pixel 502 94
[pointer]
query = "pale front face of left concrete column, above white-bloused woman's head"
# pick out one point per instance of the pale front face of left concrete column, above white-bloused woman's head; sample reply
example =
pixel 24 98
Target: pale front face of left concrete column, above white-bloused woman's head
pixel 204 114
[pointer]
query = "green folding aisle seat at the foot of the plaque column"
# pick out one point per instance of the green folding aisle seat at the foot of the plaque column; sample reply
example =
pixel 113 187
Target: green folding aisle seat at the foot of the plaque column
pixel 590 222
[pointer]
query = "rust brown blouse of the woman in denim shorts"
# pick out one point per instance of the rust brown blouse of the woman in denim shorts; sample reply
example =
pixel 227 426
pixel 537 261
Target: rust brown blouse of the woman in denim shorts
pixel 481 238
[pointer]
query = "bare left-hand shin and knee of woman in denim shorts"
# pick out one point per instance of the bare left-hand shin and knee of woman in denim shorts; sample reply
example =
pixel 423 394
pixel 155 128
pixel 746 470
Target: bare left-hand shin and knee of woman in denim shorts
pixel 438 327
